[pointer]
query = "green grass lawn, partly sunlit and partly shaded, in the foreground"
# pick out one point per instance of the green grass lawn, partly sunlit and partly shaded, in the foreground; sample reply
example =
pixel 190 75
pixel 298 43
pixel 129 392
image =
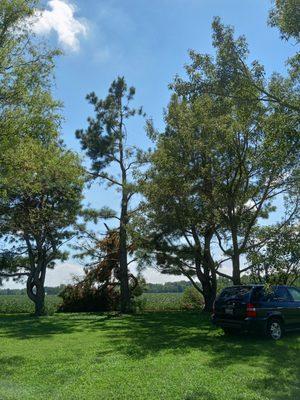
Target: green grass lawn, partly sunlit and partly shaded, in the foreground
pixel 162 355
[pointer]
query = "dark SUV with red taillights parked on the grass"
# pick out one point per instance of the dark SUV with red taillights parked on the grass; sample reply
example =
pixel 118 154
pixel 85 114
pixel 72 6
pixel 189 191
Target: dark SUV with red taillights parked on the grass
pixel 254 308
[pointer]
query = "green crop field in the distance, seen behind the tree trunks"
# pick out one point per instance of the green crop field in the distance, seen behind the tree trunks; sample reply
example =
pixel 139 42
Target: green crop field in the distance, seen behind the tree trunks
pixel 18 304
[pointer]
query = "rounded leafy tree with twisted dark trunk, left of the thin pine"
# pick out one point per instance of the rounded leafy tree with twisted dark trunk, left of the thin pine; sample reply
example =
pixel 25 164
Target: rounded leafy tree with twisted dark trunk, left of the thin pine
pixel 43 187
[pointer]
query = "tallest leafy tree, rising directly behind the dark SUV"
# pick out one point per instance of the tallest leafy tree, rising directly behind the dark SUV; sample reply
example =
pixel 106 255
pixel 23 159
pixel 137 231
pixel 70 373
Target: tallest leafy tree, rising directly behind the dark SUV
pixel 253 145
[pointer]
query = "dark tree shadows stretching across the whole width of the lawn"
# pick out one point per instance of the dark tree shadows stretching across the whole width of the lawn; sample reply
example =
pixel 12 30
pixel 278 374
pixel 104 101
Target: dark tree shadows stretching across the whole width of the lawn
pixel 139 336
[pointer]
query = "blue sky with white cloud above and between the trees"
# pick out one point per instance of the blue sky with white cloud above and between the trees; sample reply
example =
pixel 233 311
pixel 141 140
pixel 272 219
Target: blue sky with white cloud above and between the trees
pixel 147 42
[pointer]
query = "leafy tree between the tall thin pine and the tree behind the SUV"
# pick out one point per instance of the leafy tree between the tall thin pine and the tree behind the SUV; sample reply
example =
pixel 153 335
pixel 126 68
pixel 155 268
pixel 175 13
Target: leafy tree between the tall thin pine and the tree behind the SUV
pixel 178 220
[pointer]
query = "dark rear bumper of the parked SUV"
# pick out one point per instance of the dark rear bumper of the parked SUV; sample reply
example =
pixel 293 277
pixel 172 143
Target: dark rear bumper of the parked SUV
pixel 247 324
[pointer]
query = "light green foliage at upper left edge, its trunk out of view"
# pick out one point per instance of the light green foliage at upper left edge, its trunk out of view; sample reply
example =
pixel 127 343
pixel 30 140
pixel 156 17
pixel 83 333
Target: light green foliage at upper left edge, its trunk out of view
pixel 27 108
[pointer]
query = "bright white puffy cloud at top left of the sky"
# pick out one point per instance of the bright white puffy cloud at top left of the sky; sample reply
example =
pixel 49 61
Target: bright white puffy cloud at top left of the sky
pixel 61 19
